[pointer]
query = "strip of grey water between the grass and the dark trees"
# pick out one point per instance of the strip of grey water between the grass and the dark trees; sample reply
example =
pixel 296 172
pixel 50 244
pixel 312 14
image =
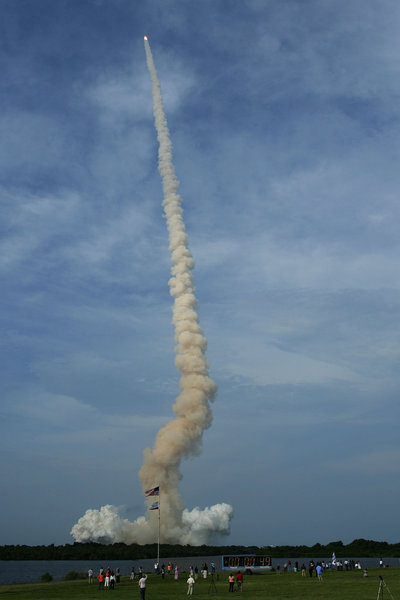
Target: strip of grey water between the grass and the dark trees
pixel 28 571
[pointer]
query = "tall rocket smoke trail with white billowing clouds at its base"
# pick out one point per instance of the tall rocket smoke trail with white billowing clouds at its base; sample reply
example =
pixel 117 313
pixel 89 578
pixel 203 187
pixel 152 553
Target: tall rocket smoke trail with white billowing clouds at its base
pixel 182 436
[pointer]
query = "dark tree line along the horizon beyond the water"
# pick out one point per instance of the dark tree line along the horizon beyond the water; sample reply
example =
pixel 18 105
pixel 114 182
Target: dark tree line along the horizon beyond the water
pixel 120 551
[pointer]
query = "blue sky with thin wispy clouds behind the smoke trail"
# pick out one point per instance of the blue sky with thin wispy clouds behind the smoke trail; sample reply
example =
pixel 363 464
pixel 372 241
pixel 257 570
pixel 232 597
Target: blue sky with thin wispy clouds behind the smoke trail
pixel 284 118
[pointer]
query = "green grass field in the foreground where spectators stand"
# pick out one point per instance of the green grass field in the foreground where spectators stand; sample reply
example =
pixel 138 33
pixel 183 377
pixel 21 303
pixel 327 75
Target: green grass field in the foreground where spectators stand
pixel 337 585
